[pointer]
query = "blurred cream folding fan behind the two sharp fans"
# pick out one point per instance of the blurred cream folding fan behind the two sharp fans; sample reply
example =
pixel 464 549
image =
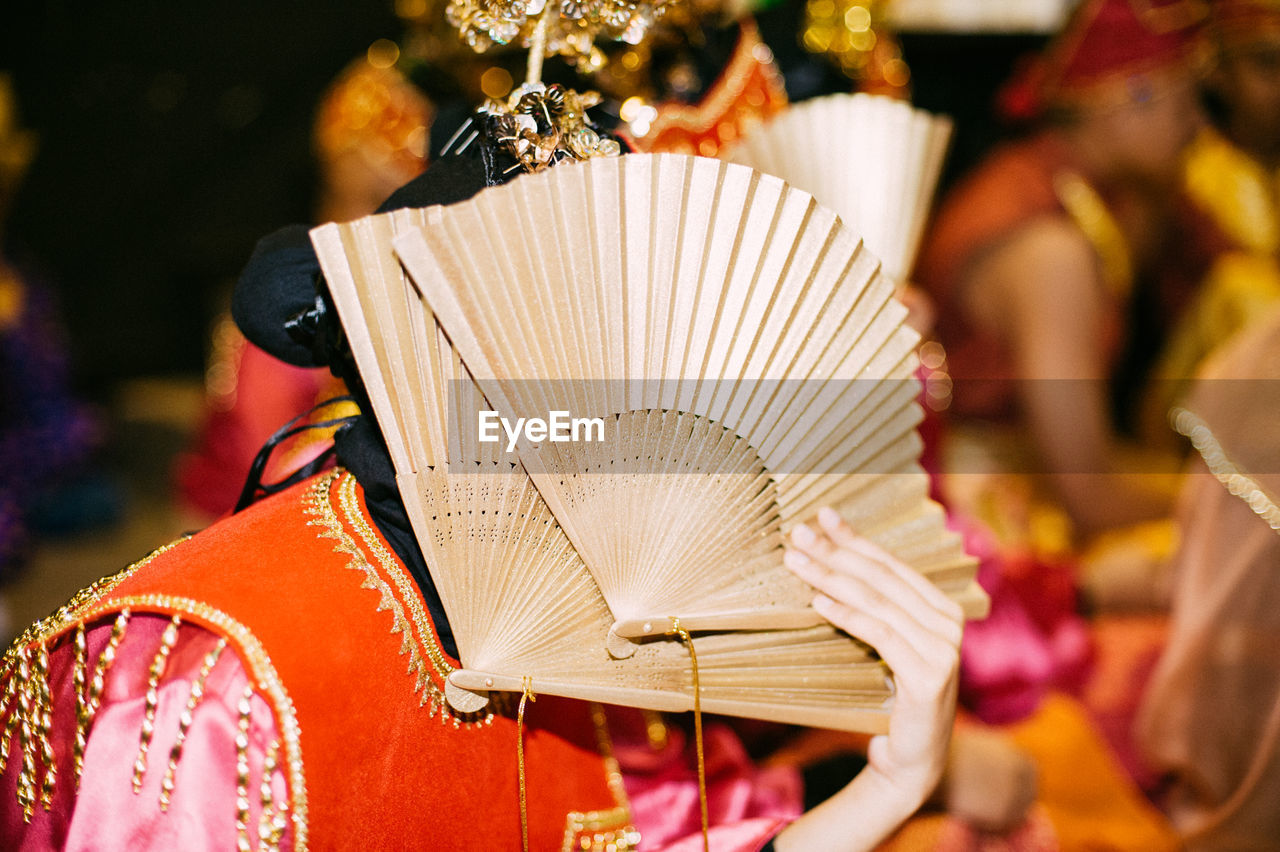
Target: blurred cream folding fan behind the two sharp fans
pixel 872 159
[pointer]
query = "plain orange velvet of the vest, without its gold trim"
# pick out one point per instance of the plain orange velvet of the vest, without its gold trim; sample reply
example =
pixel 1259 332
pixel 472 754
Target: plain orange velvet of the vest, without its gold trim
pixel 380 766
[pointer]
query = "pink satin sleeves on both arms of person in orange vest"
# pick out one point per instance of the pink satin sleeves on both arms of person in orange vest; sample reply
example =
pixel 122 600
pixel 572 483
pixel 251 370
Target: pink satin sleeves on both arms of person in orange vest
pixel 747 805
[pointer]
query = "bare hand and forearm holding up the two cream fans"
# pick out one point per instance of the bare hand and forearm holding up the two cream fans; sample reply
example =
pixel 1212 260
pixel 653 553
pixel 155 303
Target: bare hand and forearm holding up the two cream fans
pixel 917 631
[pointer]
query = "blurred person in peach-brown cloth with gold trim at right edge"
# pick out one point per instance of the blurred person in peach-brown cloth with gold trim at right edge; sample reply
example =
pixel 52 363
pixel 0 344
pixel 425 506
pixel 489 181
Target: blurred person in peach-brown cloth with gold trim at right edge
pixel 1210 721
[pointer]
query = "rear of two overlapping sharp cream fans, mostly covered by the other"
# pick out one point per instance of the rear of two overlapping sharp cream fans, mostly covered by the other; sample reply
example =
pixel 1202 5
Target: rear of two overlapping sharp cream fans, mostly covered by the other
pixel 520 601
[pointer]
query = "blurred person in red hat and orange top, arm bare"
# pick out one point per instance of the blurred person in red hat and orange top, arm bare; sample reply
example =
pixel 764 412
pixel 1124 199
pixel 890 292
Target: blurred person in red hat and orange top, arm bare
pixel 1036 258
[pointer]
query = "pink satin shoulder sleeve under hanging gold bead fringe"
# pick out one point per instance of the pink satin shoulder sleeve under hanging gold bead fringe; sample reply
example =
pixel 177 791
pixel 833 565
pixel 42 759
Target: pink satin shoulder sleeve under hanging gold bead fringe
pixel 106 813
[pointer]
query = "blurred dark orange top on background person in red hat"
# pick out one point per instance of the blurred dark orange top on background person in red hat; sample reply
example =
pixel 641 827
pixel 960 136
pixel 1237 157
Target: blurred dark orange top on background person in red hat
pixel 1009 190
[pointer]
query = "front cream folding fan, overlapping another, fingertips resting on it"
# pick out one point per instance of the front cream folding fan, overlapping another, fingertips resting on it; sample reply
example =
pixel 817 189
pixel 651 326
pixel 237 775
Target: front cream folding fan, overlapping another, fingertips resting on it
pixel 744 354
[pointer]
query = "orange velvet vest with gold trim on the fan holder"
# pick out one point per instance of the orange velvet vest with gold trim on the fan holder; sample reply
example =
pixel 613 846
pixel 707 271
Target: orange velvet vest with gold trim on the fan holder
pixel 336 636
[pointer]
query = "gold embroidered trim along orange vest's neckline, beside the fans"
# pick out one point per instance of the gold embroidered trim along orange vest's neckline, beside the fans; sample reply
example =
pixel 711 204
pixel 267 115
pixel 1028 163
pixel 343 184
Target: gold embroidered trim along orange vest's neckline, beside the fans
pixel 428 663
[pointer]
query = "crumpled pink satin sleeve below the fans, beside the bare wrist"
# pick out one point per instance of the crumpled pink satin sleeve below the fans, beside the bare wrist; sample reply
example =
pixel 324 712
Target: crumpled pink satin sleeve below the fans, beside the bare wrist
pixel 747 807
